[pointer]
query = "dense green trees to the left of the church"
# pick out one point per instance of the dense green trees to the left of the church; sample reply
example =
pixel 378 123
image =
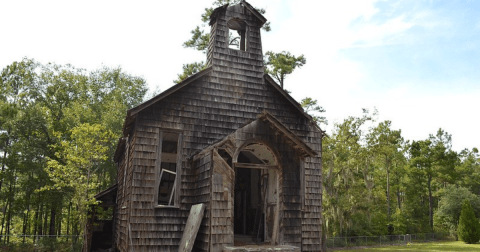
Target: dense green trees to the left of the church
pixel 59 127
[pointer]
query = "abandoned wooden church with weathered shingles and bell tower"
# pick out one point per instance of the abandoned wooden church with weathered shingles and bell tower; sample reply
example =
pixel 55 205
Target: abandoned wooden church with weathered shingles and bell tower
pixel 228 137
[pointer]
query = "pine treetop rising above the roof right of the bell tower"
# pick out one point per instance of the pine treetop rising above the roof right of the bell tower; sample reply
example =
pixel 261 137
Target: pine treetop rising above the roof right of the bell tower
pixel 279 65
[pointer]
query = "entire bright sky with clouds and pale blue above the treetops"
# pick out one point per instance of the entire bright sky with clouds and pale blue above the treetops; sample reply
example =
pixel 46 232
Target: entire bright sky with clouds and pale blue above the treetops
pixel 416 62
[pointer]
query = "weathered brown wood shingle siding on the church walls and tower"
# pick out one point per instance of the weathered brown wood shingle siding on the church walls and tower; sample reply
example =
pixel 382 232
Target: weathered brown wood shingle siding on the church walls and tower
pixel 205 111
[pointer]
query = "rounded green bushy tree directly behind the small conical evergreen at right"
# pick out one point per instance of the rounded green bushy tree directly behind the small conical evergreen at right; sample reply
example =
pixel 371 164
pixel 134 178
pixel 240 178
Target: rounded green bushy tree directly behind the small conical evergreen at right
pixel 449 207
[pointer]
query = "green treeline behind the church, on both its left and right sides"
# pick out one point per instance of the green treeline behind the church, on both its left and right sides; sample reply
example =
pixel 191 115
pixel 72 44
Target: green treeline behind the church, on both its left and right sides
pixel 59 127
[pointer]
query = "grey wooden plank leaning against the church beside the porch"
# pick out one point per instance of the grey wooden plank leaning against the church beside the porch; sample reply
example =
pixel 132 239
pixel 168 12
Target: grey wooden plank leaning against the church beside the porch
pixel 191 228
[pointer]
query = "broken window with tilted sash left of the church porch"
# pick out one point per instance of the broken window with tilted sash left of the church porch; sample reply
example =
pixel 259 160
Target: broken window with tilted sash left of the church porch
pixel 168 164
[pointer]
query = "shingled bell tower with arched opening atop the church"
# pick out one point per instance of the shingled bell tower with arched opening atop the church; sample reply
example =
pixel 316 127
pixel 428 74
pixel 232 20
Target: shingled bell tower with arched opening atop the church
pixel 235 46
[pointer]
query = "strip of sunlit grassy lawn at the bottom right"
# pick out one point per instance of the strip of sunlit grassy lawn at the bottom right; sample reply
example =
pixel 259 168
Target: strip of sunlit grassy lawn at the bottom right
pixel 429 247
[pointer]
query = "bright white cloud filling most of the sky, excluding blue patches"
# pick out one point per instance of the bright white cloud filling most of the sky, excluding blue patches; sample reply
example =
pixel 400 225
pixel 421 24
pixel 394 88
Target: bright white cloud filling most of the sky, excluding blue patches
pixel 146 39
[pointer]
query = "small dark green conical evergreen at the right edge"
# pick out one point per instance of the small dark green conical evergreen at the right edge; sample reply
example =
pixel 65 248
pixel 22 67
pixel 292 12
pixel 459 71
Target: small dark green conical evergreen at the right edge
pixel 468 226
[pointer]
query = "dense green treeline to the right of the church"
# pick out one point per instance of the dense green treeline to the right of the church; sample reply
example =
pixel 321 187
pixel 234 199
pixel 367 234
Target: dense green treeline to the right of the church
pixel 375 182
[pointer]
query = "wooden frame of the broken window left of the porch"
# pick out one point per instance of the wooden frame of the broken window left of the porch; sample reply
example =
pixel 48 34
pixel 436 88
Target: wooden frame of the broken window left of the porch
pixel 175 196
